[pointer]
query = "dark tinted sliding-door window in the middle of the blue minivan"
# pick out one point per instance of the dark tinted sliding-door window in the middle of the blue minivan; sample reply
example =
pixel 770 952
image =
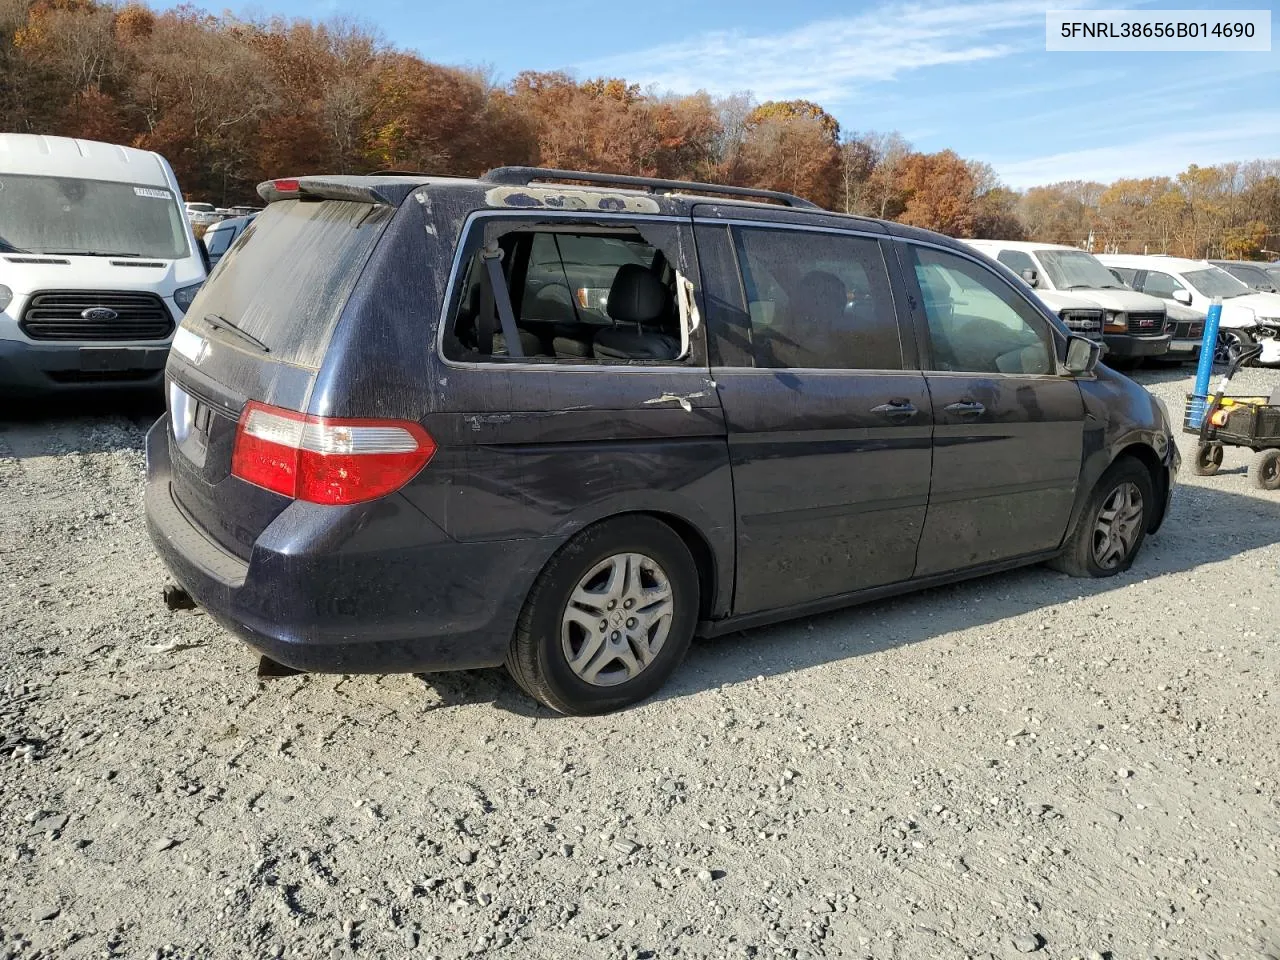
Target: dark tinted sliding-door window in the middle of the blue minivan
pixel 817 300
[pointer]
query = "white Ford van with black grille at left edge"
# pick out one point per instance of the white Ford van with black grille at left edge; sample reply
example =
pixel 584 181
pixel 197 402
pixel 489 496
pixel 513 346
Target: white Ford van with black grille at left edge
pixel 98 264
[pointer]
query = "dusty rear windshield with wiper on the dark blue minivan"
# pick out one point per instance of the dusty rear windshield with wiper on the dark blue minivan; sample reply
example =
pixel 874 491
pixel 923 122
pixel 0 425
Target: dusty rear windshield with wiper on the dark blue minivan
pixel 290 281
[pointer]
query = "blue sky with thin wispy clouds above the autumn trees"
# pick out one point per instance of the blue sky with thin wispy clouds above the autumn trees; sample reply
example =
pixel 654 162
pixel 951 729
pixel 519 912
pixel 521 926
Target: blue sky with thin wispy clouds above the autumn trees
pixel 973 77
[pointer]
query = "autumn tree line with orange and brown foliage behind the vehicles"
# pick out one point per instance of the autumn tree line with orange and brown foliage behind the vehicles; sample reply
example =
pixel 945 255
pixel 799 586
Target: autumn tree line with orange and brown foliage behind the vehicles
pixel 232 102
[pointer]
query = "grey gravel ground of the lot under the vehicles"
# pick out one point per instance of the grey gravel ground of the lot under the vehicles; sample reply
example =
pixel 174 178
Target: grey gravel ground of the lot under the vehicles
pixel 1022 765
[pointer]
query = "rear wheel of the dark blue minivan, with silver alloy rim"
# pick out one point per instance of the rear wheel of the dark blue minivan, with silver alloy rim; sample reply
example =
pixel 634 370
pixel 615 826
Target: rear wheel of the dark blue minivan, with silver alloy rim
pixel 609 620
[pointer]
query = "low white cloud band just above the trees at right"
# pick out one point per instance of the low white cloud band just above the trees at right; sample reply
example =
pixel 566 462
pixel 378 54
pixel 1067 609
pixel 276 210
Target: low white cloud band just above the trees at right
pixel 1232 138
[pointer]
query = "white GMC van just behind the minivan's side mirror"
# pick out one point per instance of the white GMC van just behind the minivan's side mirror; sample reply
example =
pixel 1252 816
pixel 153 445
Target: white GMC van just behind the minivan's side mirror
pixel 1136 326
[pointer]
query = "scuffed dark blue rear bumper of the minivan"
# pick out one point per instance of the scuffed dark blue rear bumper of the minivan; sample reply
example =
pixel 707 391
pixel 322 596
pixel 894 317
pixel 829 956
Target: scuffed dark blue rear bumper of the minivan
pixel 367 589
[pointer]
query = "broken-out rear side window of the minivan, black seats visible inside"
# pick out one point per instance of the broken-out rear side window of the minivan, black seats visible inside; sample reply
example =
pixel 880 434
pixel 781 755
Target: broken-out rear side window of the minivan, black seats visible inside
pixel 580 292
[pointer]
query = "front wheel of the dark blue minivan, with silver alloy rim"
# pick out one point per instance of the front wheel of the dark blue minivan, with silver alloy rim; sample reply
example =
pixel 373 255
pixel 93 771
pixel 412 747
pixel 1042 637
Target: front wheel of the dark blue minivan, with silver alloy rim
pixel 1113 524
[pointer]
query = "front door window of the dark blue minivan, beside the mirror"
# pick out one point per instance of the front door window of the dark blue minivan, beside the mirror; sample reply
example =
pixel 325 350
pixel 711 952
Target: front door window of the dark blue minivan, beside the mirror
pixel 979 324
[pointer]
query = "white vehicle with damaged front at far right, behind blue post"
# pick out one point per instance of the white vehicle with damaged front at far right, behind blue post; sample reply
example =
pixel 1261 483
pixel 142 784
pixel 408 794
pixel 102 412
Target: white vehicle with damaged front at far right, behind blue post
pixel 1249 317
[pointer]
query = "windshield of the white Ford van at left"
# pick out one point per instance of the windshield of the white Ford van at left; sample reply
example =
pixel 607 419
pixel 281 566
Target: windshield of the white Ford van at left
pixel 70 216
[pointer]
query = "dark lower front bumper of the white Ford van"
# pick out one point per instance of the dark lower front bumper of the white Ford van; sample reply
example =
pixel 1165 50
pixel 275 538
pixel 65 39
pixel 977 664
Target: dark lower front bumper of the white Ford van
pixel 60 368
